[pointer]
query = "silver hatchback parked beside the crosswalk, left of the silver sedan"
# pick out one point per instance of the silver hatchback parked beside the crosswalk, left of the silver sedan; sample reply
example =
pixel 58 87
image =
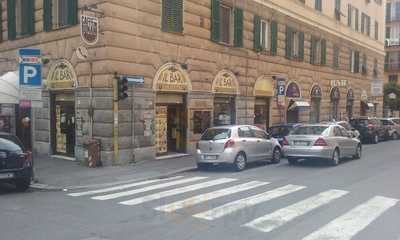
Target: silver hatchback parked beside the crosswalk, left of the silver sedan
pixel 236 145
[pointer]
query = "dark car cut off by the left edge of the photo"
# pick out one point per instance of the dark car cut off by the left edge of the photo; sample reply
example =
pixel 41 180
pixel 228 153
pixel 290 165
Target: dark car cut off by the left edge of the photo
pixel 15 162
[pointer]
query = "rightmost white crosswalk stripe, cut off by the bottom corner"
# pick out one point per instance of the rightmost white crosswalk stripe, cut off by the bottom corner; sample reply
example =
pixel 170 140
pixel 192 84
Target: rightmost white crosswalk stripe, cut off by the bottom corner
pixel 352 222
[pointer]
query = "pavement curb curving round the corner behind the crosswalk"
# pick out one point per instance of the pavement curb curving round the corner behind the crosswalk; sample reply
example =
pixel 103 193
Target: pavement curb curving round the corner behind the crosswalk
pixel 46 187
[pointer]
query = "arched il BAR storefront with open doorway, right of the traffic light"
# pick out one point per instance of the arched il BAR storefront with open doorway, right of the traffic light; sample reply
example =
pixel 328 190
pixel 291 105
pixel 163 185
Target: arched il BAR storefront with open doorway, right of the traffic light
pixel 171 85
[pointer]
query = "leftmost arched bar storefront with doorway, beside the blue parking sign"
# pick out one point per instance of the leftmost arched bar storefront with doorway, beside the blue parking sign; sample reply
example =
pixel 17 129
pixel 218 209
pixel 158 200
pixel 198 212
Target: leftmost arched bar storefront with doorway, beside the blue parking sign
pixel 61 82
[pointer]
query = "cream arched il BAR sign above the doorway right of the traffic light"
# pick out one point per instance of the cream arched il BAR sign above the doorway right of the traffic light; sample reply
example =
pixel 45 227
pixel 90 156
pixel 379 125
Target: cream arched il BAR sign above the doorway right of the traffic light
pixel 171 79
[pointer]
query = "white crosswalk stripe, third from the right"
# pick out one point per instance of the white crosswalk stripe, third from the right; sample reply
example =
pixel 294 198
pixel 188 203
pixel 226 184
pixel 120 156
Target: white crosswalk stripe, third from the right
pixel 247 202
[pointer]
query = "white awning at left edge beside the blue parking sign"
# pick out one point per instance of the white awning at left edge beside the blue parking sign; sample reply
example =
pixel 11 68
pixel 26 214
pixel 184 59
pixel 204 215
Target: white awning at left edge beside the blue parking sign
pixel 9 88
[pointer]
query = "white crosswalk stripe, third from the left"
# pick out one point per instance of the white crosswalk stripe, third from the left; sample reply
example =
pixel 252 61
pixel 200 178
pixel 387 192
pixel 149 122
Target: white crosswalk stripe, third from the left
pixel 177 191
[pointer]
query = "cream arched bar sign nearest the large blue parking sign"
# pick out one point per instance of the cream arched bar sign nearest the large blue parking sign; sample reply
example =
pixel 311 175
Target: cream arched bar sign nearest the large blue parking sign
pixel 61 76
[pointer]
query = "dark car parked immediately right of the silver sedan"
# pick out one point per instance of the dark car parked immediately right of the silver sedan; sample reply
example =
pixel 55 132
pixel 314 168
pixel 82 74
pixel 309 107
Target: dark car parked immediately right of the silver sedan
pixel 371 129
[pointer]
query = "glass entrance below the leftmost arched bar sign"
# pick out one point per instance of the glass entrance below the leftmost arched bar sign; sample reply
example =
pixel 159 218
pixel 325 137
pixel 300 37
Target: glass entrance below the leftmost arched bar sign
pixel 63 125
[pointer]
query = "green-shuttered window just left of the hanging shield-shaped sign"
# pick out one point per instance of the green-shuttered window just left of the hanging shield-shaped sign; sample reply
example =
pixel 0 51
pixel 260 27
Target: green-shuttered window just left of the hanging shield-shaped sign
pixel 59 14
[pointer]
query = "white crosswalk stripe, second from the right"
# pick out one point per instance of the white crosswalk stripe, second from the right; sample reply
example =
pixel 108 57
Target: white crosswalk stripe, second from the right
pixel 278 218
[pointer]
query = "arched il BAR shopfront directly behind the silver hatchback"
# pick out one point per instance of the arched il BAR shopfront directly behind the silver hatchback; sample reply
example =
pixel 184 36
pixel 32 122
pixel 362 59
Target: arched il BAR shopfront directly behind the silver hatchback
pixel 225 88
